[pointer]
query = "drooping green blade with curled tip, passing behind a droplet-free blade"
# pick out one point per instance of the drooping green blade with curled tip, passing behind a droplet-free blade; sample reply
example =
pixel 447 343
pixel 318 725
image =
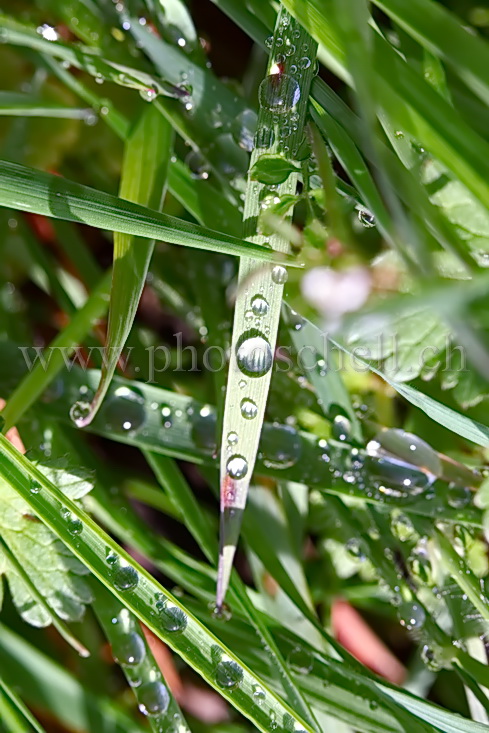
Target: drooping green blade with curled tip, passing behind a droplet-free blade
pixel 144 174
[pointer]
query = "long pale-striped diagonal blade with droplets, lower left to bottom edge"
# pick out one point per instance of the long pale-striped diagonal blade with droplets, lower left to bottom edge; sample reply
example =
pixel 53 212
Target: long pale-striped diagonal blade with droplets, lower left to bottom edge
pixel 137 590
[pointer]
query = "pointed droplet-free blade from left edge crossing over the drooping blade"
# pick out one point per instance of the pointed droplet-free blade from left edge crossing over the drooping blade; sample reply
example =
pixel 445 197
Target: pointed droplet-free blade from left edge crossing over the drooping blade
pixel 31 190
